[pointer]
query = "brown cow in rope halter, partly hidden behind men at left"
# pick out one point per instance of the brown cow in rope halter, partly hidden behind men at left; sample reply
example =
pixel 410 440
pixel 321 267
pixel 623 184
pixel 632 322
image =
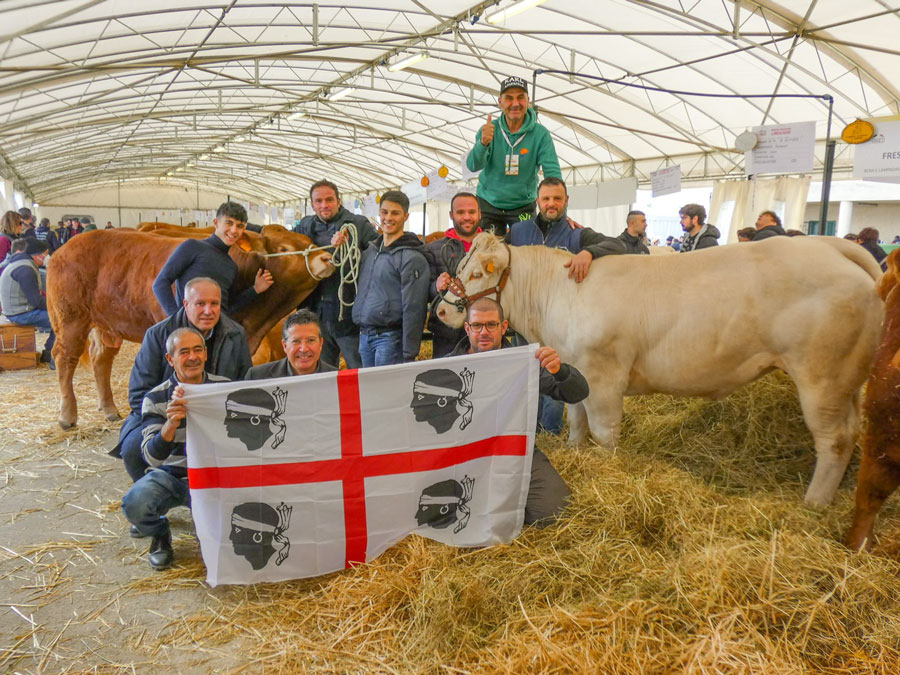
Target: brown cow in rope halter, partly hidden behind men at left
pixel 103 279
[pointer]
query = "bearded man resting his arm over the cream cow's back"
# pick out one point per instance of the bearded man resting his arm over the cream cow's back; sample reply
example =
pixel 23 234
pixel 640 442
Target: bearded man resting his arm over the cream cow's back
pixel 552 228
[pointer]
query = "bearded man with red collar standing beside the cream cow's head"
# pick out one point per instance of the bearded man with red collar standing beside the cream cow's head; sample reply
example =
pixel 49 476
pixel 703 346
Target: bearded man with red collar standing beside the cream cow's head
pixel 443 258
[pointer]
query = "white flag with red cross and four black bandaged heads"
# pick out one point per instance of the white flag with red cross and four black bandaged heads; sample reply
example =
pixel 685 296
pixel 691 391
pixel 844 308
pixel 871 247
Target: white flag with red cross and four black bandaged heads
pixel 300 476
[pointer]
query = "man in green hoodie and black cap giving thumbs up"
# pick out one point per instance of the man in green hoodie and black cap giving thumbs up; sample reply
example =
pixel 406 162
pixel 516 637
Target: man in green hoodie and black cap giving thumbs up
pixel 508 152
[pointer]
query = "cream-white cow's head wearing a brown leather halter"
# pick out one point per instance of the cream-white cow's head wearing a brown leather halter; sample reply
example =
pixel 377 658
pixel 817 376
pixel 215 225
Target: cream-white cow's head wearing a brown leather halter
pixel 481 270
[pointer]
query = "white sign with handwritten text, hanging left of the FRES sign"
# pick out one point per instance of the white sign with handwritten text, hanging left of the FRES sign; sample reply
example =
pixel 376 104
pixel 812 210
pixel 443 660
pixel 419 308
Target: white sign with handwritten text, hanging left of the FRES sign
pixel 782 148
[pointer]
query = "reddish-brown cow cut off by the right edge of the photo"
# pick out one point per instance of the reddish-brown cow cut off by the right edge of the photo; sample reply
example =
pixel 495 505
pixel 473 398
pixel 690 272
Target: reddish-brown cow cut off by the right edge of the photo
pixel 879 469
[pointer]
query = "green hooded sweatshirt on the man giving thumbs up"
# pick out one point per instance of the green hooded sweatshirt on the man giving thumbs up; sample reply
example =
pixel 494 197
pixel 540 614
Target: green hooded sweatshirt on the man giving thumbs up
pixel 534 150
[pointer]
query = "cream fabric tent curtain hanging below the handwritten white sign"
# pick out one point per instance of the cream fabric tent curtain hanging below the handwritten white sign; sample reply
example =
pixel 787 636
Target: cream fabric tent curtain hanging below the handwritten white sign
pixel 738 203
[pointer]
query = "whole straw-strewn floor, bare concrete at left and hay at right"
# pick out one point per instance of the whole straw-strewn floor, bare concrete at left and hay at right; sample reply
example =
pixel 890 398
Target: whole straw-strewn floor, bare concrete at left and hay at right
pixel 687 549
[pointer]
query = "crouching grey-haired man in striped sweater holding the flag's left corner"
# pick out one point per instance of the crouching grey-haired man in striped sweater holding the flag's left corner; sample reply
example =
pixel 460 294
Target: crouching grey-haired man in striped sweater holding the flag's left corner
pixel 165 485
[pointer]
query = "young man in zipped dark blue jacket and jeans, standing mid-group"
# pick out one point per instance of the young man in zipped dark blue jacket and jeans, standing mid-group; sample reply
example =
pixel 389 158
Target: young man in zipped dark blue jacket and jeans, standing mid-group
pixel 390 306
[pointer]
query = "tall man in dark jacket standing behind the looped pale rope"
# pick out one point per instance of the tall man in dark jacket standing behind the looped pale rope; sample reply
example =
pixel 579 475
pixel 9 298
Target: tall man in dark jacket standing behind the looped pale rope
pixel 340 333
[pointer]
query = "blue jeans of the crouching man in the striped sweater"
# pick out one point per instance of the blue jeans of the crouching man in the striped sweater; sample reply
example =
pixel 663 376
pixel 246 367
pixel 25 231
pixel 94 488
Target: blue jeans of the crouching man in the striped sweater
pixel 148 501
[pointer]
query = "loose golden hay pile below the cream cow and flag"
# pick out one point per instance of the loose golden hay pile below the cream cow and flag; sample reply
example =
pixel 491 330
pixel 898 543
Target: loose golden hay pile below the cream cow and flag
pixel 686 550
